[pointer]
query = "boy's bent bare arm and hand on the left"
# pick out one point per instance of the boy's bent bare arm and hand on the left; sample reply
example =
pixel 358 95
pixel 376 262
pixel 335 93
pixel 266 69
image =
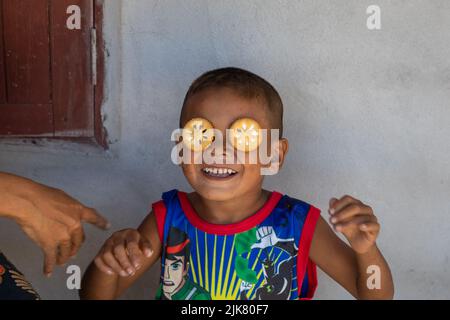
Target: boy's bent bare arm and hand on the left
pixel 121 261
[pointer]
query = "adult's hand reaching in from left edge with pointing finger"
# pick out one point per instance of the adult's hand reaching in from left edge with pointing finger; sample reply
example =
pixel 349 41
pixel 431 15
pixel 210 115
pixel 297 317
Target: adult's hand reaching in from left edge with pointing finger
pixel 50 217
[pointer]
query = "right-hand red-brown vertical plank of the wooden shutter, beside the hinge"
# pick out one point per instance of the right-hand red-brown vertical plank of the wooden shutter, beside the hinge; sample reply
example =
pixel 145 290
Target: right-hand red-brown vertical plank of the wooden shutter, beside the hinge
pixel 73 91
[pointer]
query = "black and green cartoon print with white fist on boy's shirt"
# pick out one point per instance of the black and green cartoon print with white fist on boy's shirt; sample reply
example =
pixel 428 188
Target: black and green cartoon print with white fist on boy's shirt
pixel 277 274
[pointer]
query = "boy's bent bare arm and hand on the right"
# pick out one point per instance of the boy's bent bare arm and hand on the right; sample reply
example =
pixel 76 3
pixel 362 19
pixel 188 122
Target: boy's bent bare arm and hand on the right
pixel 346 264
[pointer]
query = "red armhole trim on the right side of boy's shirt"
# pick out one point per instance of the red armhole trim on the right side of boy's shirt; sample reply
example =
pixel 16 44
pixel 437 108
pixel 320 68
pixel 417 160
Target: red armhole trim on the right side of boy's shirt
pixel 304 264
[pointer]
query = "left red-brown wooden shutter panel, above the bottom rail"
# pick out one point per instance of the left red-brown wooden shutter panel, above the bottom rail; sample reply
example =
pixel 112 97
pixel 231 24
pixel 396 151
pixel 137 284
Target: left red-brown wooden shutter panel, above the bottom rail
pixel 26 29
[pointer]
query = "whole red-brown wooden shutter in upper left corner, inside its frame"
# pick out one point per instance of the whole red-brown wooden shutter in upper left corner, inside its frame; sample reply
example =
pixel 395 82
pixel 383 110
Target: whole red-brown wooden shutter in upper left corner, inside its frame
pixel 45 69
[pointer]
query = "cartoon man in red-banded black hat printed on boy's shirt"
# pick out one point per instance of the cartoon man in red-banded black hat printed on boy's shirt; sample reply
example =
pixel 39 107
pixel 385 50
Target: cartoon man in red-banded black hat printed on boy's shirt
pixel 175 283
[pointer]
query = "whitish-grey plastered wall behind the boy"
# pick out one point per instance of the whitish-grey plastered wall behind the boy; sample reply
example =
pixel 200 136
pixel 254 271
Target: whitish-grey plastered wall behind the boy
pixel 367 113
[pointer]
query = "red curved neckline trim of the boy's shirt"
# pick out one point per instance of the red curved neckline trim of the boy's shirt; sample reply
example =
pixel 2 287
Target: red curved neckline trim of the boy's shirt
pixel 231 228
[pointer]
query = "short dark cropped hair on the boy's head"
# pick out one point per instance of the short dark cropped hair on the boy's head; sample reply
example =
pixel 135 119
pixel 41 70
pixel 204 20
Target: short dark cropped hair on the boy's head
pixel 246 84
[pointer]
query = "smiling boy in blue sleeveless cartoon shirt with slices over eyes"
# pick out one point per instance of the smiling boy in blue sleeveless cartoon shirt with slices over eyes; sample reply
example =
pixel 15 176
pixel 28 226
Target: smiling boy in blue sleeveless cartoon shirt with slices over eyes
pixel 231 239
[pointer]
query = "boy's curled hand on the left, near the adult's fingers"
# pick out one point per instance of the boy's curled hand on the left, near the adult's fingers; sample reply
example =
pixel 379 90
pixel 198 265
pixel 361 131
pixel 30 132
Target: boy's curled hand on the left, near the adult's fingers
pixel 123 252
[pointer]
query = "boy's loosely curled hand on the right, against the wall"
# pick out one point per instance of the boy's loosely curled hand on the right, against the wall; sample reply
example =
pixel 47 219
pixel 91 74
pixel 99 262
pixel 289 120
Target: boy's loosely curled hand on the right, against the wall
pixel 356 221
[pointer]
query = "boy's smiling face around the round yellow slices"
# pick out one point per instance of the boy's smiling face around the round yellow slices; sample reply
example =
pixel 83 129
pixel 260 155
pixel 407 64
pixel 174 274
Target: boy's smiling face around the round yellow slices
pixel 221 107
